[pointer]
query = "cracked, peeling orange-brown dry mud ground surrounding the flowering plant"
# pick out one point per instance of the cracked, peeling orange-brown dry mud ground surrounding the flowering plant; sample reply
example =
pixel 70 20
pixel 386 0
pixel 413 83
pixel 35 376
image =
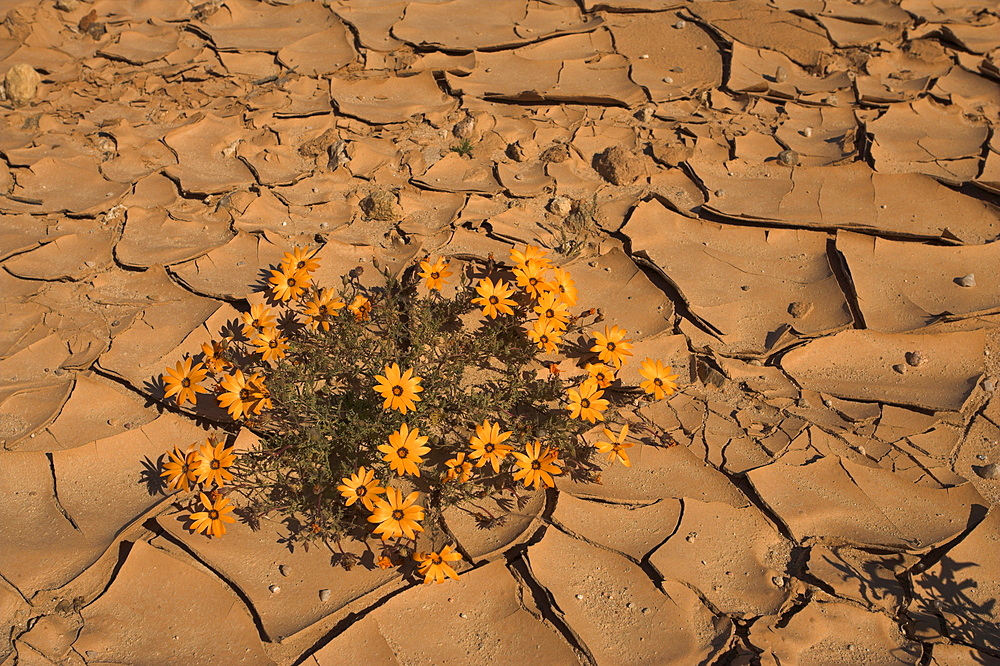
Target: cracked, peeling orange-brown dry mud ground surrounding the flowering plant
pixel 795 202
